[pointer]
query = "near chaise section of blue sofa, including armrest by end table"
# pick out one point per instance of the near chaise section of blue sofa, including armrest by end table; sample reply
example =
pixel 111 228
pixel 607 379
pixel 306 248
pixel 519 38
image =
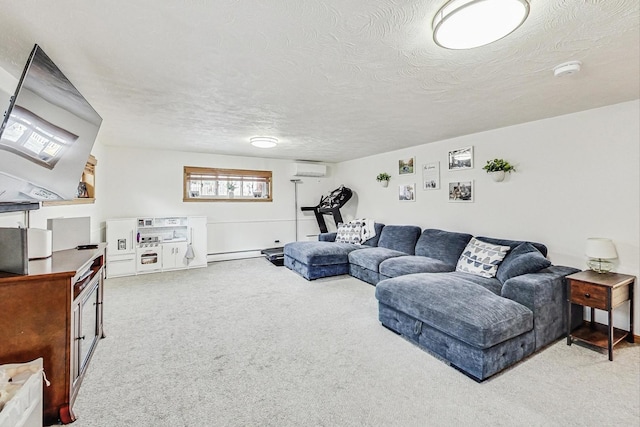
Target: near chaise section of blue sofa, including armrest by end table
pixel 467 323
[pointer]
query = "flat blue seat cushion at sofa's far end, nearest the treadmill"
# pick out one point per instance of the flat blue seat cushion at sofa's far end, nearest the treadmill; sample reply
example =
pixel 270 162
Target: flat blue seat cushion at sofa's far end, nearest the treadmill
pixel 319 253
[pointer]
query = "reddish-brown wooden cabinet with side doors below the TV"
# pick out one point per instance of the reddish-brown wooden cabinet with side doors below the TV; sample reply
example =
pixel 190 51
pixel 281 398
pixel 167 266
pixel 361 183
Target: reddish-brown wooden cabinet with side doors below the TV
pixel 55 312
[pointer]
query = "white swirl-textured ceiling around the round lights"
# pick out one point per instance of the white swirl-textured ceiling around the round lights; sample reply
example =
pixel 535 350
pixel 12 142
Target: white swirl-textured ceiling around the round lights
pixel 332 79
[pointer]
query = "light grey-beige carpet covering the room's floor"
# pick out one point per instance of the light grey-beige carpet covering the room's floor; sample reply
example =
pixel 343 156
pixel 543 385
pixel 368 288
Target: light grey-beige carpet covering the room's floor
pixel 245 343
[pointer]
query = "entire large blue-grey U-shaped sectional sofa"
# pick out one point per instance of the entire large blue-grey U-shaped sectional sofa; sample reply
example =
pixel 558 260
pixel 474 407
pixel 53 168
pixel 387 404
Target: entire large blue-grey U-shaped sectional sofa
pixel 479 324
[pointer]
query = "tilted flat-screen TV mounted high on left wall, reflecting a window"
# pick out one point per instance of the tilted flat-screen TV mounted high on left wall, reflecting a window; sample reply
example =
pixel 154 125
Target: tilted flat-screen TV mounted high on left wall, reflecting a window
pixel 46 136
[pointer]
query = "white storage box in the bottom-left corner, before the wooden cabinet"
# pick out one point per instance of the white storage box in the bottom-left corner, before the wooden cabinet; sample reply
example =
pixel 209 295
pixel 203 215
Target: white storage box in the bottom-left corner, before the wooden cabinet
pixel 24 409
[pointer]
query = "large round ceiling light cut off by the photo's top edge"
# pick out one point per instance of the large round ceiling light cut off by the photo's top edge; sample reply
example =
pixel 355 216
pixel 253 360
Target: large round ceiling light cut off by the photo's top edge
pixel 465 24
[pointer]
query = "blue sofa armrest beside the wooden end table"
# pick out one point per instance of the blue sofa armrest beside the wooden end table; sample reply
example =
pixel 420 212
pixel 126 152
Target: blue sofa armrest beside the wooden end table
pixel 545 294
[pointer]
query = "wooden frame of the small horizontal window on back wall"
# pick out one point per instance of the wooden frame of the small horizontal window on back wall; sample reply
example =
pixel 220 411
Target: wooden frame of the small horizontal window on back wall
pixel 215 173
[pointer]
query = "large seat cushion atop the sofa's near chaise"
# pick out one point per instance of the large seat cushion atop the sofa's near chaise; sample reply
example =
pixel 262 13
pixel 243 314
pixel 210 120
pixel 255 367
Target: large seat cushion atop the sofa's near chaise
pixel 456 307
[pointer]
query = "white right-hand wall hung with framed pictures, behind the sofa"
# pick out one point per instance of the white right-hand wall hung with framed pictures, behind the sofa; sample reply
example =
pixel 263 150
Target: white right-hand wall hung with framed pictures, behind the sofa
pixel 577 177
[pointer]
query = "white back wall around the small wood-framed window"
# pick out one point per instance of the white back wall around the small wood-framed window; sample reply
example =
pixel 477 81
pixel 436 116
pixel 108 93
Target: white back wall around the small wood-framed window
pixel 143 183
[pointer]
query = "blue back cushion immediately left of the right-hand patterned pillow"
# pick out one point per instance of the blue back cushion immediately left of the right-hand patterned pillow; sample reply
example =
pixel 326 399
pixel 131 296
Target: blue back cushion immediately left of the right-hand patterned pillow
pixel 445 246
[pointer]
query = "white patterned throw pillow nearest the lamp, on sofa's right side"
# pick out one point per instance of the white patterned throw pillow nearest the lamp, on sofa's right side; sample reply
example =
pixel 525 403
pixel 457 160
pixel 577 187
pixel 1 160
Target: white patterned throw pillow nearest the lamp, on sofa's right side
pixel 481 258
